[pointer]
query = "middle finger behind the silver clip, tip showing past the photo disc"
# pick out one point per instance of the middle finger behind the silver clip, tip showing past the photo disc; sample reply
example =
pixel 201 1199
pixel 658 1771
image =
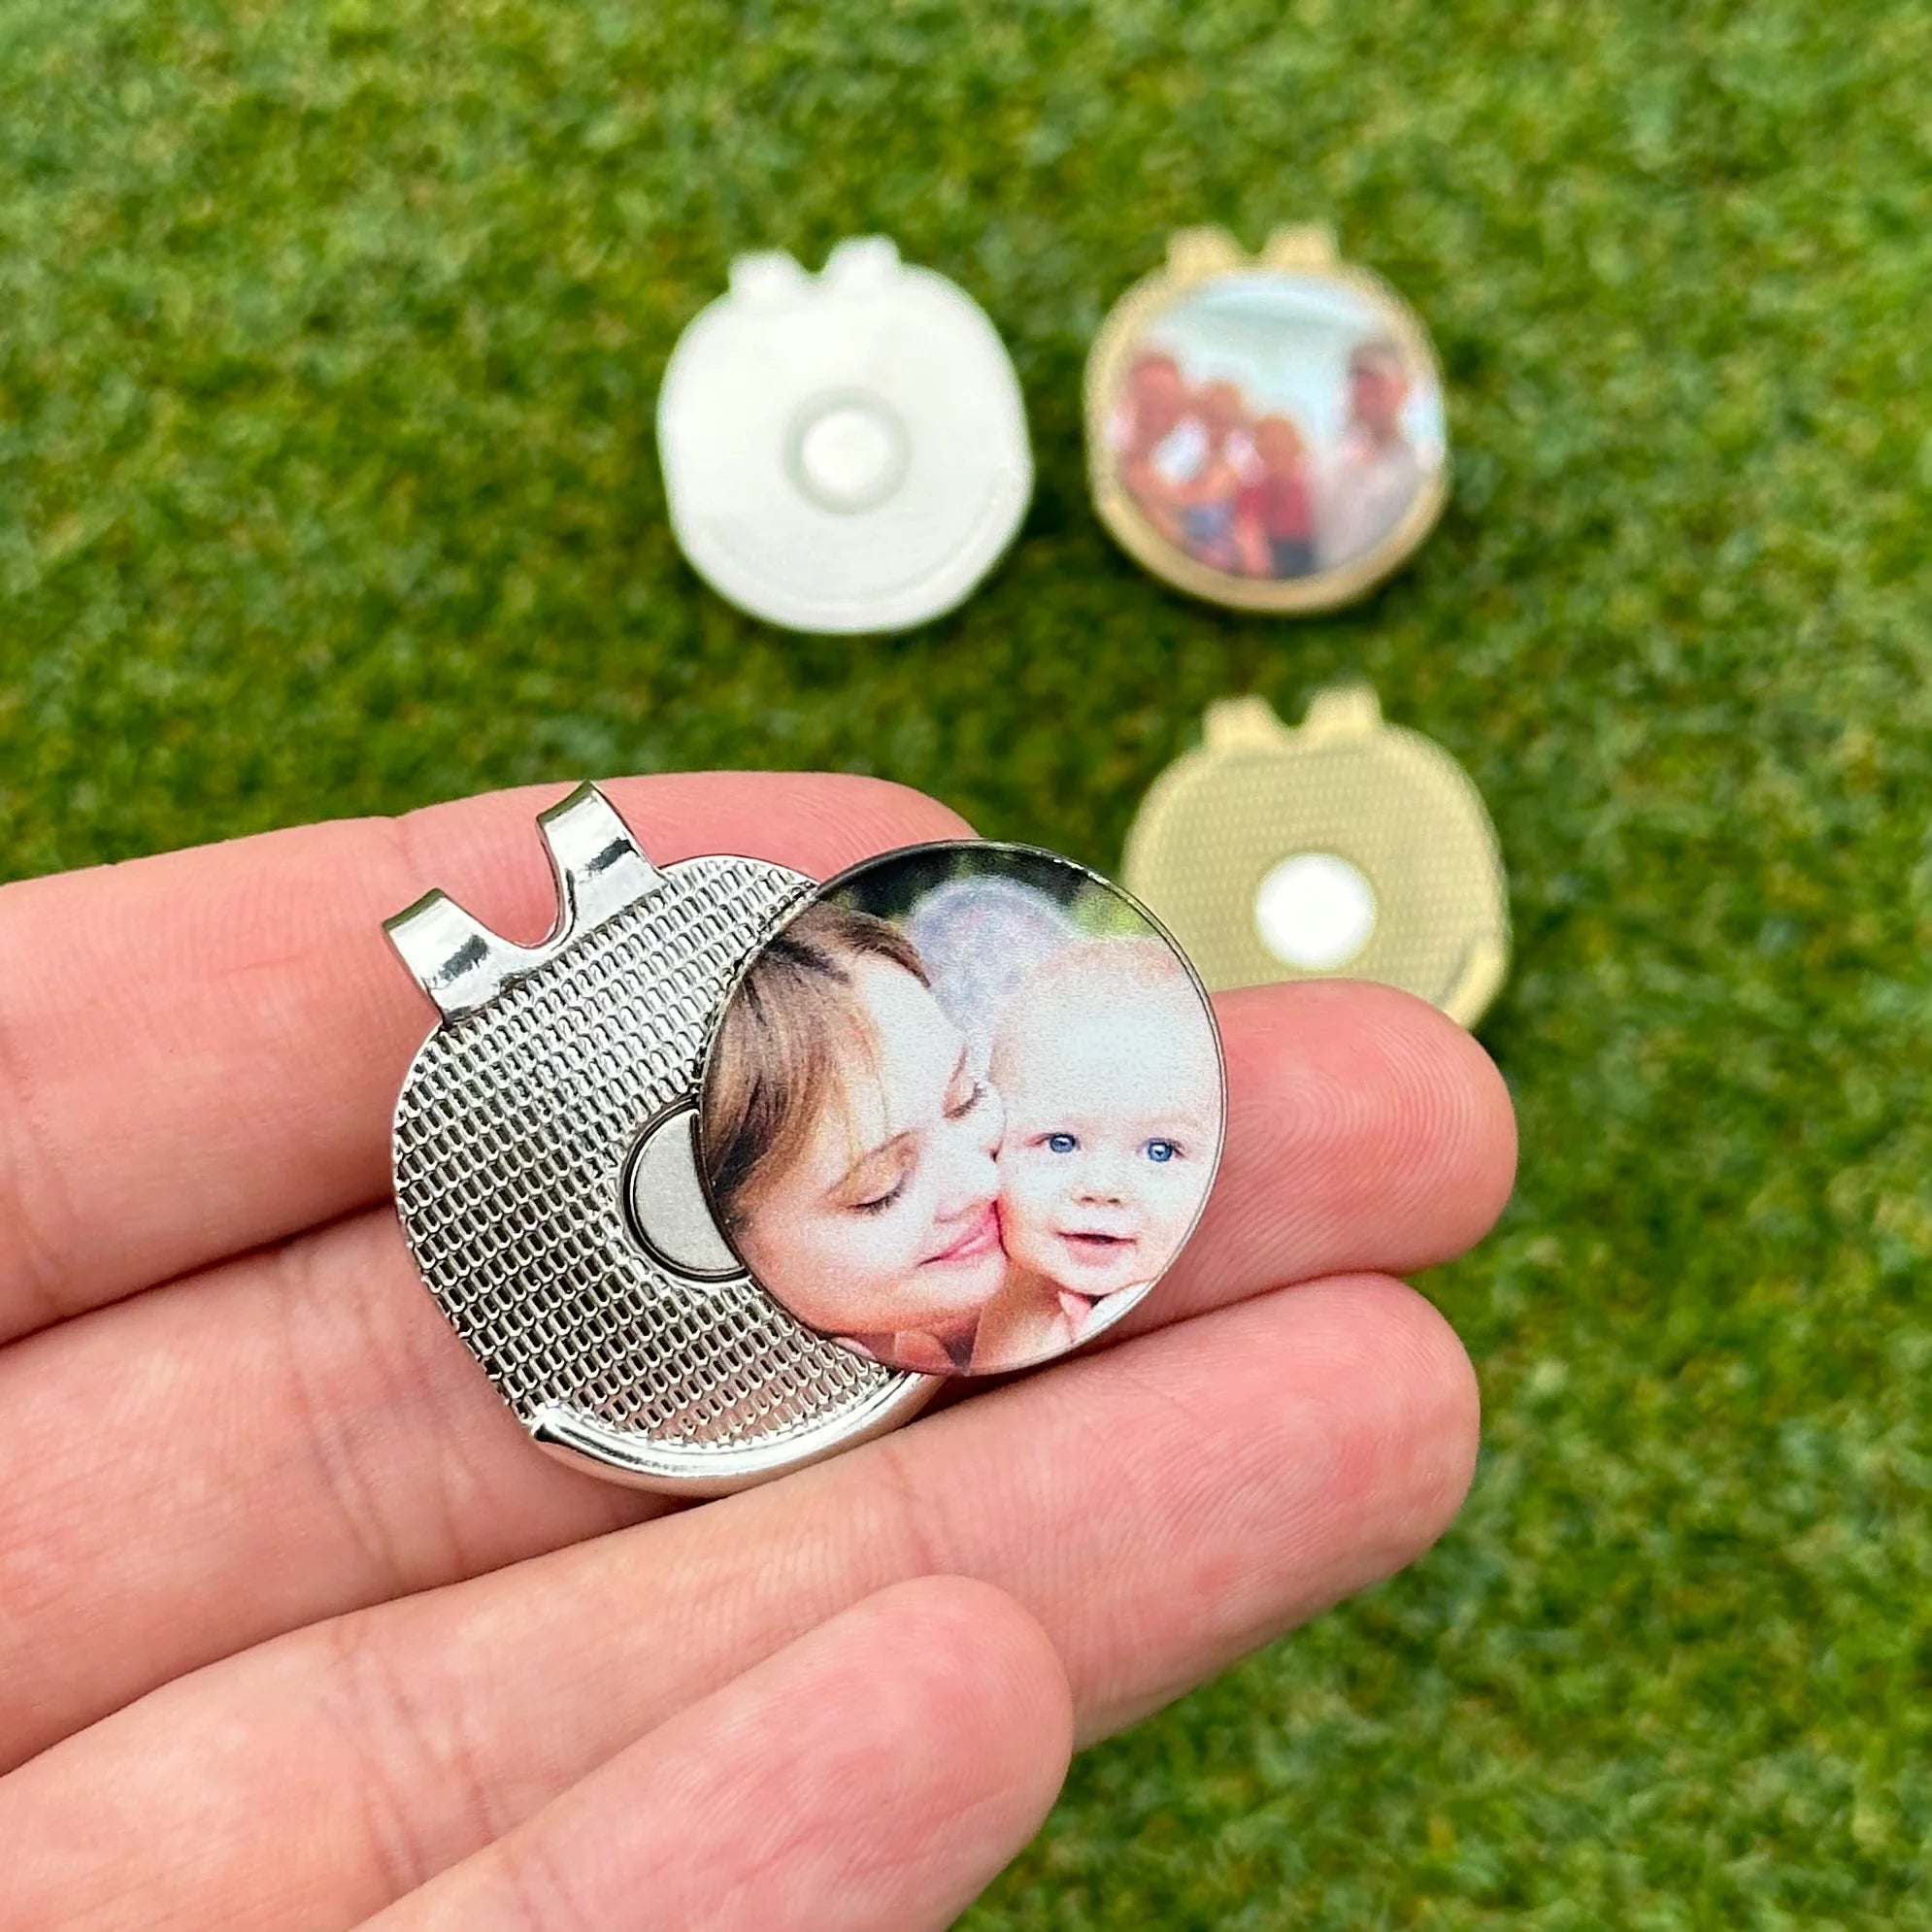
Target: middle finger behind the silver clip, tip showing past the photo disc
pixel 298 1435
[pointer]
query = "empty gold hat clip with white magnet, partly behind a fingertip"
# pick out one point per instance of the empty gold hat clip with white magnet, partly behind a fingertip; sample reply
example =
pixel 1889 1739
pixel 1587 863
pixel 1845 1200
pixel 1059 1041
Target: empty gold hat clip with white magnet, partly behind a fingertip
pixel 1344 849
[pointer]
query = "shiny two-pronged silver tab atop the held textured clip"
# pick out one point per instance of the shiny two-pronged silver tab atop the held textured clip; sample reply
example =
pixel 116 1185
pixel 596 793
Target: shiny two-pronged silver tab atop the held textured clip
pixel 600 872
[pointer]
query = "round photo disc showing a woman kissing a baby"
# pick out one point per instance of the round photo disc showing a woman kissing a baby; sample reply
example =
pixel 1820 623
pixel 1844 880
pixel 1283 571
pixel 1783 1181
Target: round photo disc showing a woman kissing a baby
pixel 963 1108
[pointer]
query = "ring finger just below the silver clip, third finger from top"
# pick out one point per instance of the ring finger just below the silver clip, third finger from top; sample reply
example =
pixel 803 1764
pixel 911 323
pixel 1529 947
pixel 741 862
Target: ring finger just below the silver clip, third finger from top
pixel 1162 1508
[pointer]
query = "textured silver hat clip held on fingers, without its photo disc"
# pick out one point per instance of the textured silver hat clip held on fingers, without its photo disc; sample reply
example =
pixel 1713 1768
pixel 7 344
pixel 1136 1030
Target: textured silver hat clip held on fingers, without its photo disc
pixel 548 1185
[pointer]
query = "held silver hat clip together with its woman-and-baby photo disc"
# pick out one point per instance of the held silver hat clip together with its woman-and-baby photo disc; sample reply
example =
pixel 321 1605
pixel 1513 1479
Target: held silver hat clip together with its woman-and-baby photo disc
pixel 735 1168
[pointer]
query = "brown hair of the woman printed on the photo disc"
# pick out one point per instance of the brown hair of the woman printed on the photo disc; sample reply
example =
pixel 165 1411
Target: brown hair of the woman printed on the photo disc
pixel 785 1040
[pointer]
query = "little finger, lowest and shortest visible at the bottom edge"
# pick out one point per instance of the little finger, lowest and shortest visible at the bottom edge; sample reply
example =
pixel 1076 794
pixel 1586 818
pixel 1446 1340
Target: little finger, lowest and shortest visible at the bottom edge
pixel 926 1730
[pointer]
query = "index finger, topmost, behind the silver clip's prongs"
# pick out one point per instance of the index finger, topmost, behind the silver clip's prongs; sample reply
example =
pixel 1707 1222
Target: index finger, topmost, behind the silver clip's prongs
pixel 200 1052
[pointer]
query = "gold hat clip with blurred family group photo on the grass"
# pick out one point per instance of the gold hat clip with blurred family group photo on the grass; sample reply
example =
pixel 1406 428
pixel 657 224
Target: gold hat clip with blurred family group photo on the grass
pixel 1266 432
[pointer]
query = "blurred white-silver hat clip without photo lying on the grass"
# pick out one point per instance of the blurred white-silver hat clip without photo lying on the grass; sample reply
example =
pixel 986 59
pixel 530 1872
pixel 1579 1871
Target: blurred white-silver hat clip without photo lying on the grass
pixel 843 453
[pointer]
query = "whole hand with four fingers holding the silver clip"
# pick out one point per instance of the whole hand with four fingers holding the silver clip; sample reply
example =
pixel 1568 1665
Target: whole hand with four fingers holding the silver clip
pixel 298 1630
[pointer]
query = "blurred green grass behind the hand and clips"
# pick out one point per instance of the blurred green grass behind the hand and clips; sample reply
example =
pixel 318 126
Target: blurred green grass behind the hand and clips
pixel 329 341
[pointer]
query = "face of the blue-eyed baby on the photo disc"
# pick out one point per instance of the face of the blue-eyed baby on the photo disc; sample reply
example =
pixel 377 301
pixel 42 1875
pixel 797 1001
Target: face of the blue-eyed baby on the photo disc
pixel 1110 1135
